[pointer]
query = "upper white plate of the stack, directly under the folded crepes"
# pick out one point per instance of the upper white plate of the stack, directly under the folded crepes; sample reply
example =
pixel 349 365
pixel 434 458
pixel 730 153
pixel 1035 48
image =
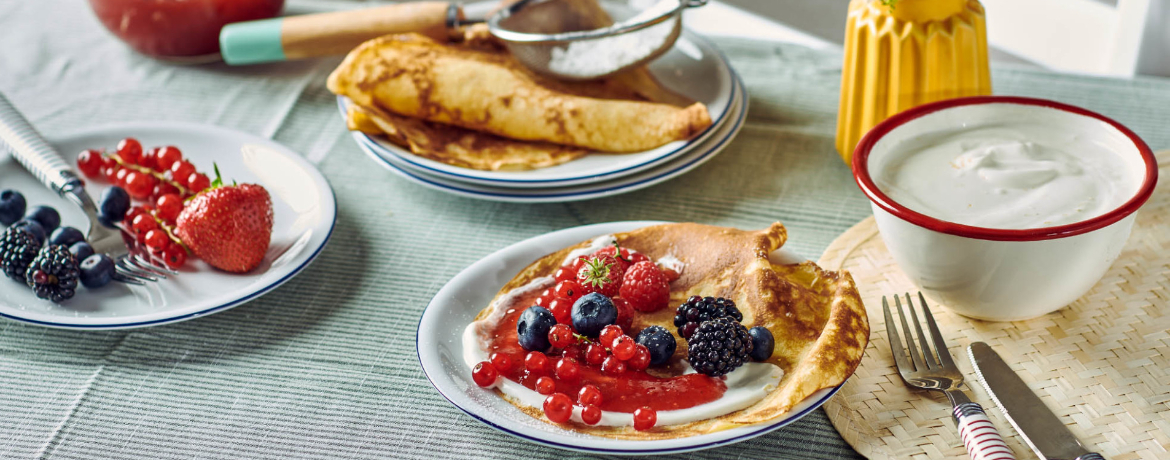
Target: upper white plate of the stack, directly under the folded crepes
pixel 694 68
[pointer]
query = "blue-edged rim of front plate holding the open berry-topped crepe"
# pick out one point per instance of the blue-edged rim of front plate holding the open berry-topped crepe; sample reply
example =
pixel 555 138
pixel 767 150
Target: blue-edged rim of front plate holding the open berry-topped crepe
pixel 763 430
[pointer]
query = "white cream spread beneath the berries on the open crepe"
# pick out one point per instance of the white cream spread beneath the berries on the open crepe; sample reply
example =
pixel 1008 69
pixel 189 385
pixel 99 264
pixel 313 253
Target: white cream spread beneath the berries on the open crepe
pixel 746 386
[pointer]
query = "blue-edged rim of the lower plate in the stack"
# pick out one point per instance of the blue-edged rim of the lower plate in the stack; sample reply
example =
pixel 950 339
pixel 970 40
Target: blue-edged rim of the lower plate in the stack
pixel 582 196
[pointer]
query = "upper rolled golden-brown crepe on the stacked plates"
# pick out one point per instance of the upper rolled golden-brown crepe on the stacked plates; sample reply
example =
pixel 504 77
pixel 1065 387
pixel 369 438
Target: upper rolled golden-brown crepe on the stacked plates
pixel 491 92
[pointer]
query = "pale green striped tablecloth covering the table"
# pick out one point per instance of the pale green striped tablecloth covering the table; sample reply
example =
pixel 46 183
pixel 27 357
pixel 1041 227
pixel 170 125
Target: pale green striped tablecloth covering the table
pixel 325 367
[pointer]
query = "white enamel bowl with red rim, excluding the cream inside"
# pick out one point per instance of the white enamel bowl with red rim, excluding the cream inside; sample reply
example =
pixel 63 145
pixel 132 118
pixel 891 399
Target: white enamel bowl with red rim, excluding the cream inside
pixel 1000 274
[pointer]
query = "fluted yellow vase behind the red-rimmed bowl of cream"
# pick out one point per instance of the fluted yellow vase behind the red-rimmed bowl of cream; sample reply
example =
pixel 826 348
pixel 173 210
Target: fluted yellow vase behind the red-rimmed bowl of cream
pixel 907 54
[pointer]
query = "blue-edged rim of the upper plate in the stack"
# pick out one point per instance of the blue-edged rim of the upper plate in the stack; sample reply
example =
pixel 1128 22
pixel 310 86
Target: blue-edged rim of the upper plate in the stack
pixel 553 183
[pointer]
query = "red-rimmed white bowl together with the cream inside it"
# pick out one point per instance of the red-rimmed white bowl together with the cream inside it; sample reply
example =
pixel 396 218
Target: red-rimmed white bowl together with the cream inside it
pixel 1004 208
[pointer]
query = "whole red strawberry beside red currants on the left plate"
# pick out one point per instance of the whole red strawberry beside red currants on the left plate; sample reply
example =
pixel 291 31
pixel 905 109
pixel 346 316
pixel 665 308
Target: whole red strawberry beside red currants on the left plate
pixel 229 226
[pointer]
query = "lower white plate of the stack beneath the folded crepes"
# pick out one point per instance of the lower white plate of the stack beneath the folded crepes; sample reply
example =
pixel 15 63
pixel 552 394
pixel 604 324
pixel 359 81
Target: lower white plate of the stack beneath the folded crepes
pixel 573 194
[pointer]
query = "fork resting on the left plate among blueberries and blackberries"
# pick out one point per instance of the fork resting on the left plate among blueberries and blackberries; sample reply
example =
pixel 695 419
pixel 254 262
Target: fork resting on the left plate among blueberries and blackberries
pixel 134 264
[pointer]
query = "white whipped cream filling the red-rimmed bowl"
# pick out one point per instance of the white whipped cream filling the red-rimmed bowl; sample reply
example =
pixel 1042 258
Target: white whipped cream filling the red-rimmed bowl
pixel 1013 175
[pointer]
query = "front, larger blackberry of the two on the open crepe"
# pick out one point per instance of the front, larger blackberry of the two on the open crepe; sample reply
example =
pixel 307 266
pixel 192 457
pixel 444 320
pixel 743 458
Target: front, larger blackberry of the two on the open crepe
pixel 719 347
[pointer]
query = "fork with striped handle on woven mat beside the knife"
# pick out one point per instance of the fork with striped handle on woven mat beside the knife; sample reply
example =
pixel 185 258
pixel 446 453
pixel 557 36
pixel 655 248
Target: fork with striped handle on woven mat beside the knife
pixel 934 369
